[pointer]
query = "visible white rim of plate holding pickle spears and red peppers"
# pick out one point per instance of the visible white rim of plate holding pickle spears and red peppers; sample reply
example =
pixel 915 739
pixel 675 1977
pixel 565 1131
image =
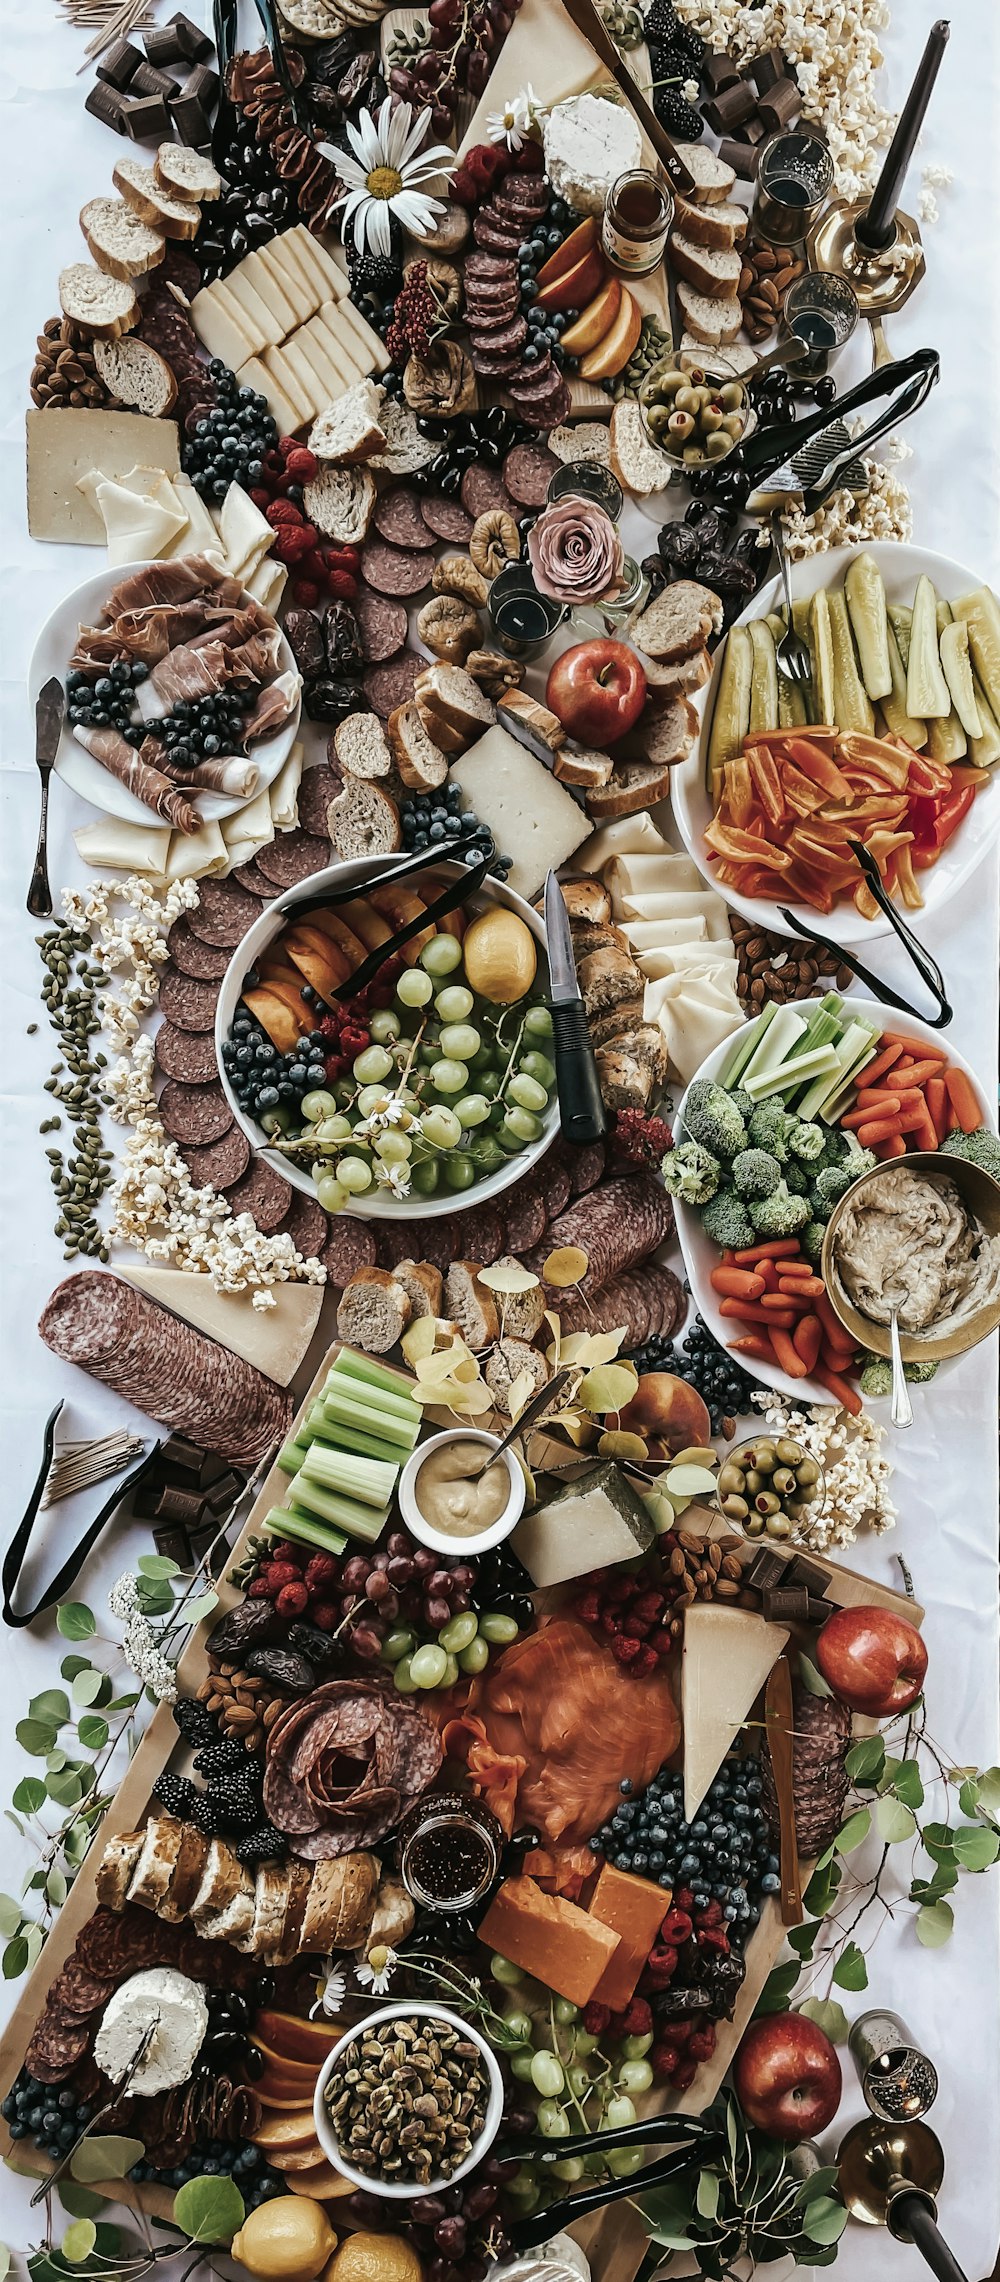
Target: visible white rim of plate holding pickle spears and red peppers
pixel 901 567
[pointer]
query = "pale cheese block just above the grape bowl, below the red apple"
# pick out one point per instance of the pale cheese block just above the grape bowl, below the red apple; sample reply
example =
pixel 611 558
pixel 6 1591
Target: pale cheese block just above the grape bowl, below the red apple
pixel 531 816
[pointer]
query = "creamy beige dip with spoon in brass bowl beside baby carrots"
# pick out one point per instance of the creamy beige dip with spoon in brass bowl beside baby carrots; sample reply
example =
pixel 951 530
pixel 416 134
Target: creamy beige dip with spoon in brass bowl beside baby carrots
pixel 908 1243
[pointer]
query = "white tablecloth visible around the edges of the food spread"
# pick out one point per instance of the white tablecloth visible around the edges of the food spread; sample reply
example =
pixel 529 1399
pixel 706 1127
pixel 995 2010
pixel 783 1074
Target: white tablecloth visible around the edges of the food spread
pixel 946 1480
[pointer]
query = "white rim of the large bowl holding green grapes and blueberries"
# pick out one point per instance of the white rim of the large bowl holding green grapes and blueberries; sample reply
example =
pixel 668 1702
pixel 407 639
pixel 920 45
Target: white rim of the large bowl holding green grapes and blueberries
pixel 378 1204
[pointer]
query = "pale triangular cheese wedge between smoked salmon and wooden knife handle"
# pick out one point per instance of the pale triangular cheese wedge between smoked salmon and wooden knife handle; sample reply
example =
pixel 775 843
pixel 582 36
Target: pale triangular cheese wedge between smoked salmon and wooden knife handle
pixel 725 1667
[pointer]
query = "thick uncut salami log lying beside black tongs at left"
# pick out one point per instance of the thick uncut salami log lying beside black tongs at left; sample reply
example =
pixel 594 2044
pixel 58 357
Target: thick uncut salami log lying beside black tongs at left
pixel 166 1368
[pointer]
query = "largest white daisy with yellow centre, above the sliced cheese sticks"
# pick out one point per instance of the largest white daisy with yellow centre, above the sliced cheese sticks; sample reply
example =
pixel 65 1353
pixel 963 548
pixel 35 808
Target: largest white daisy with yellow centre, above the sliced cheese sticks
pixel 385 177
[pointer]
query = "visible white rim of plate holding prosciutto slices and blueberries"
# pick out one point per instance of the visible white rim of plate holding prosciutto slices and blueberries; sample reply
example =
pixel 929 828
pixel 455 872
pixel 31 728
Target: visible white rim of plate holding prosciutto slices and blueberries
pixel 79 768
